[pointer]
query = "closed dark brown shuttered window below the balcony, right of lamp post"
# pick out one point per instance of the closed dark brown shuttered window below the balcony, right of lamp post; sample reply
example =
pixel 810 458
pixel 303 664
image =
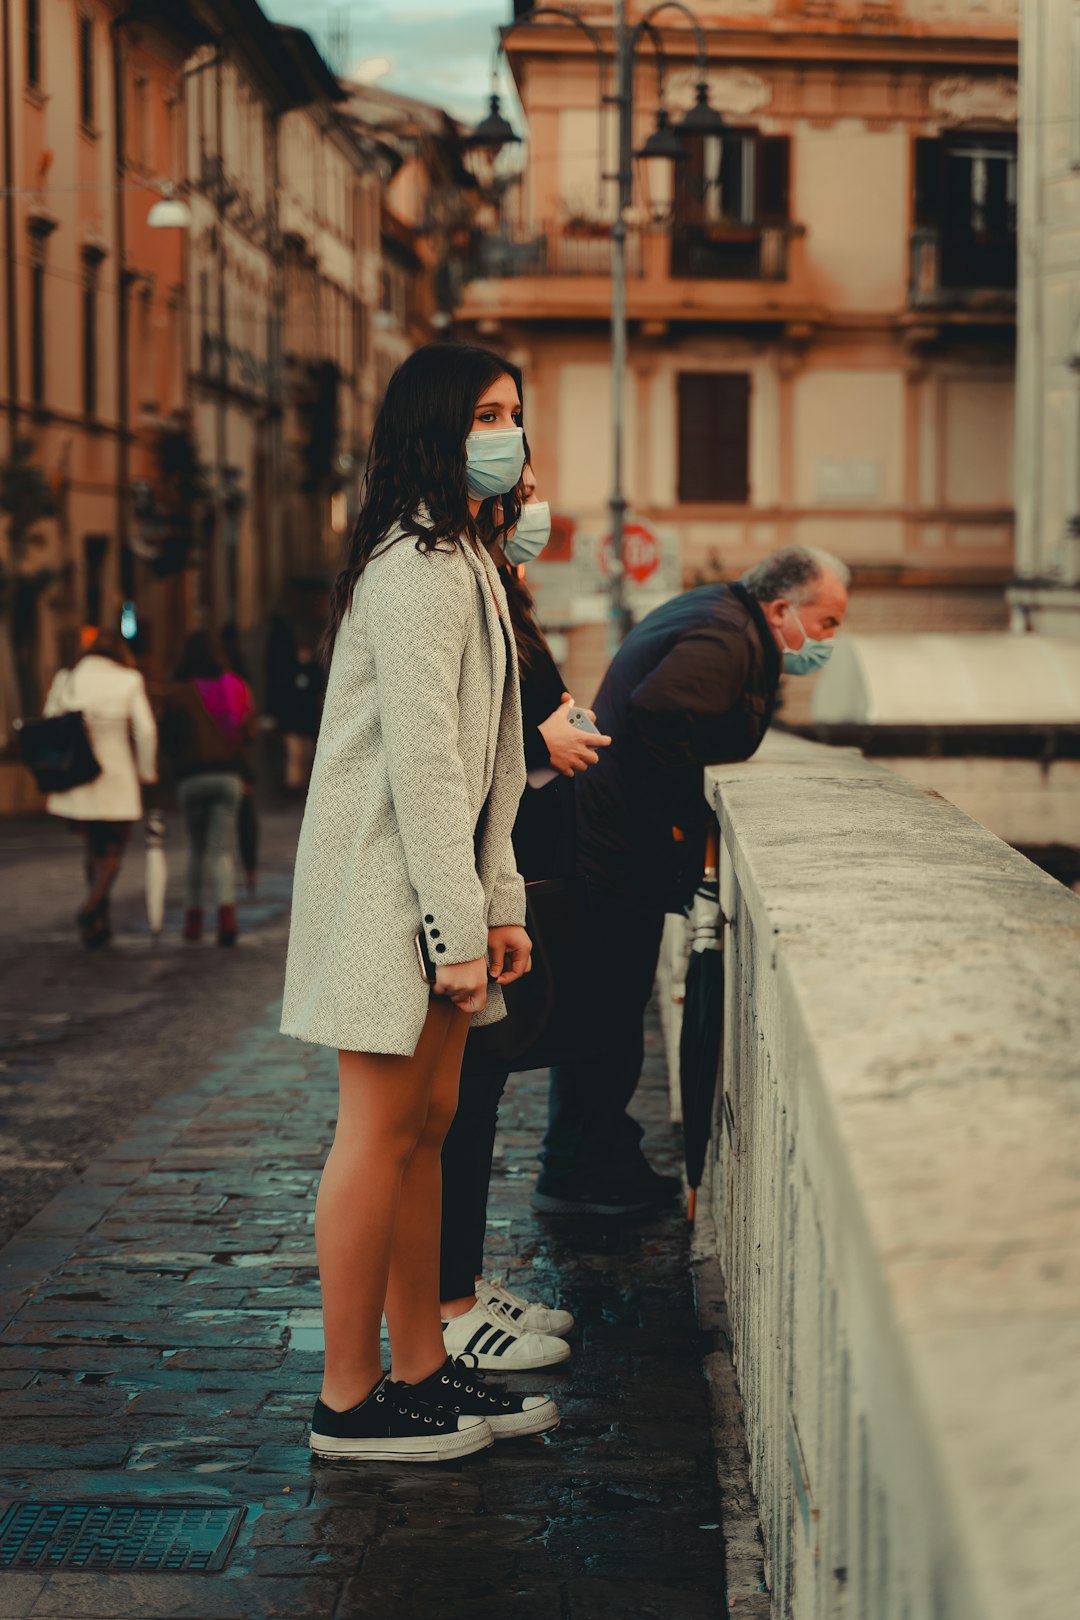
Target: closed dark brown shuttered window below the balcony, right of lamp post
pixel 715 437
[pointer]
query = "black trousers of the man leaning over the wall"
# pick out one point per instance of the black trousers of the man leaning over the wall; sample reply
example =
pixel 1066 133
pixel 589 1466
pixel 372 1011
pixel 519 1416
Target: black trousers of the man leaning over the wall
pixel 590 1132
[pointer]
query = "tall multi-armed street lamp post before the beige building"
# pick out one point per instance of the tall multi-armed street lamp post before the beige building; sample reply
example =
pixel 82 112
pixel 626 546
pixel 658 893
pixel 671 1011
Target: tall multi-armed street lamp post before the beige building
pixel 702 121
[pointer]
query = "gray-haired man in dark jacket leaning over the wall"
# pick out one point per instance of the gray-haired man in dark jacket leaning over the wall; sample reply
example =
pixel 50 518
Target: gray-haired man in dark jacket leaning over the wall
pixel 692 686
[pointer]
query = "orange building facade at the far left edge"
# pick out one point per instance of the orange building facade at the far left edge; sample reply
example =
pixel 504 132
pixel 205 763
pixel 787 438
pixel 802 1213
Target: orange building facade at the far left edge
pixel 93 317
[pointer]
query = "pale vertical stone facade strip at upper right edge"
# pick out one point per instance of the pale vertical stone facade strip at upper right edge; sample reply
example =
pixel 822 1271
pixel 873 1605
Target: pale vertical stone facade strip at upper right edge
pixel 1048 344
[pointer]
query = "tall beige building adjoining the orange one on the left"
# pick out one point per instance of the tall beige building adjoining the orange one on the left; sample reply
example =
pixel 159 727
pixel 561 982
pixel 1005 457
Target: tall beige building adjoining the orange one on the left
pixel 281 273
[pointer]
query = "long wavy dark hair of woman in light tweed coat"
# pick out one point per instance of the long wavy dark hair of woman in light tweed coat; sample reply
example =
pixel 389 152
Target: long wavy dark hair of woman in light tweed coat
pixel 419 459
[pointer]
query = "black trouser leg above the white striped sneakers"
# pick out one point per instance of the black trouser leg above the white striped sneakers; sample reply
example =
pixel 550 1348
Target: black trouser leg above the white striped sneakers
pixel 467 1159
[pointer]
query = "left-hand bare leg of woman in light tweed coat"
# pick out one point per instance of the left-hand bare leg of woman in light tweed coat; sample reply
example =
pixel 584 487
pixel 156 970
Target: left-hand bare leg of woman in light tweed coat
pixel 385 1106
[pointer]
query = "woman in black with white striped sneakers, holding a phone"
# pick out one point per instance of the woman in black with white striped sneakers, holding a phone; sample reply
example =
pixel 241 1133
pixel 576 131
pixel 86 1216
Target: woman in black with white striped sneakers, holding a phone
pixel 483 1318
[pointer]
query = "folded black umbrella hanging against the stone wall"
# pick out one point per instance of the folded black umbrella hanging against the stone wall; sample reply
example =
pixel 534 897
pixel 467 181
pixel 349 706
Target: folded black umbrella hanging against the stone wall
pixel 702 1041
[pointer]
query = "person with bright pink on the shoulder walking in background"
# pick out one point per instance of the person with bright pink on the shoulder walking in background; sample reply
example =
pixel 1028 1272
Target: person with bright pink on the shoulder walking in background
pixel 210 722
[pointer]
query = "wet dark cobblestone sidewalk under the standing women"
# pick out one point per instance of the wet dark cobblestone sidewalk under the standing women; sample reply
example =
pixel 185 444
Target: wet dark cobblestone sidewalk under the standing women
pixel 161 1344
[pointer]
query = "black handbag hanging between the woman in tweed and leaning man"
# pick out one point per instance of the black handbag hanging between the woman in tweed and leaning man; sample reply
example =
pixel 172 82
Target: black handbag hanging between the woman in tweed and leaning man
pixel 542 1020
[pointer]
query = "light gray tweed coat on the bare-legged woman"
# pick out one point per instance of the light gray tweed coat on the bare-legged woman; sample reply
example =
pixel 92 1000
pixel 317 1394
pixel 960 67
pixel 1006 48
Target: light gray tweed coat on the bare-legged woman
pixel 422 728
